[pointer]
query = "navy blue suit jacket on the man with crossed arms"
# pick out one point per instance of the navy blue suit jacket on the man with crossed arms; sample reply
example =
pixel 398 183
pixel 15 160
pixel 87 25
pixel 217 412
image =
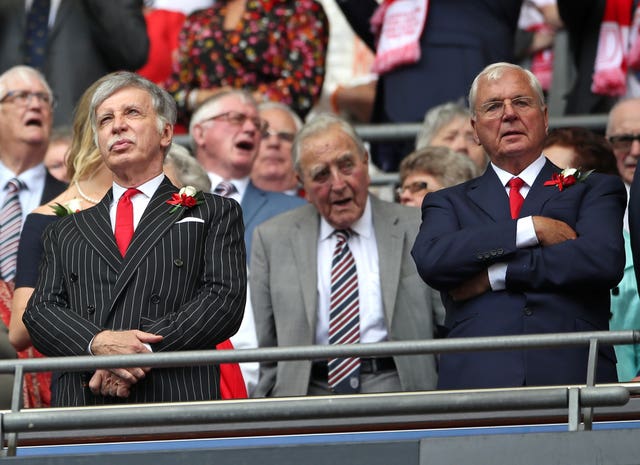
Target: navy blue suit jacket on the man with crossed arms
pixel 560 288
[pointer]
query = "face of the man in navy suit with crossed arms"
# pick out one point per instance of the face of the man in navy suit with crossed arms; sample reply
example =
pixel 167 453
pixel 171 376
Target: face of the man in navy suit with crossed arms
pixel 510 123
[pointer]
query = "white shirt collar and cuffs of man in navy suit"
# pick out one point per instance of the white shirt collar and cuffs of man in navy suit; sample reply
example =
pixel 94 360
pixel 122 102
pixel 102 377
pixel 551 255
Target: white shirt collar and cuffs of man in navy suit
pixel 525 231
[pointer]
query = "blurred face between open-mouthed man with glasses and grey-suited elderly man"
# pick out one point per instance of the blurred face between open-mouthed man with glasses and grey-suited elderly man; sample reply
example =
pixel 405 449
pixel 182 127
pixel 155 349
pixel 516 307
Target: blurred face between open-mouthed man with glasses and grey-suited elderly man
pixel 274 157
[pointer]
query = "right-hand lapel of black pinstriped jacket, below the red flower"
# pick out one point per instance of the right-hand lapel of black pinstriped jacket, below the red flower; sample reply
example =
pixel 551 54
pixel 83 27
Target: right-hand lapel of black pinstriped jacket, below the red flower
pixel 154 224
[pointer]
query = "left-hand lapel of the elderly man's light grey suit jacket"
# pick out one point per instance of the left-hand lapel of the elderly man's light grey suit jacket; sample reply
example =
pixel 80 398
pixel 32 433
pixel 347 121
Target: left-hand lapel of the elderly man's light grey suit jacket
pixel 305 253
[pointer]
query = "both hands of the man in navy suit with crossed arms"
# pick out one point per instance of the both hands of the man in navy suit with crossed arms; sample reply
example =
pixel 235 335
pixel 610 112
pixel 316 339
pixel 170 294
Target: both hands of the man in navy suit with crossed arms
pixel 548 231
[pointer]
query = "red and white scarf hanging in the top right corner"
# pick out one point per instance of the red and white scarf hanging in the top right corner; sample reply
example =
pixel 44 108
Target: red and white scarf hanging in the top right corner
pixel 618 48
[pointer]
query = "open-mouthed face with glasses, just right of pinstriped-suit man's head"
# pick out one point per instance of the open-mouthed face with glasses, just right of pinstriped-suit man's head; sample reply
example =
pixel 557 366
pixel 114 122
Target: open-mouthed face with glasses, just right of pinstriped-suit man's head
pixel 228 143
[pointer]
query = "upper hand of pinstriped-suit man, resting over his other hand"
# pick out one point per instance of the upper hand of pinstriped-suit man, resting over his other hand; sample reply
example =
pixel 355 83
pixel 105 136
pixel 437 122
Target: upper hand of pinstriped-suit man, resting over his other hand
pixel 122 343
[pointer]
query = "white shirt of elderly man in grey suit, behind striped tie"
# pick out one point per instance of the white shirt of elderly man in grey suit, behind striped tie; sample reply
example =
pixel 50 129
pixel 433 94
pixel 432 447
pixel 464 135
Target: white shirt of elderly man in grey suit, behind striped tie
pixel 365 253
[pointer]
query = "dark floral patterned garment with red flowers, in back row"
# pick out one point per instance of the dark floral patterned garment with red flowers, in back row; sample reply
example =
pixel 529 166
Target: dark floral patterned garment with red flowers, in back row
pixel 277 50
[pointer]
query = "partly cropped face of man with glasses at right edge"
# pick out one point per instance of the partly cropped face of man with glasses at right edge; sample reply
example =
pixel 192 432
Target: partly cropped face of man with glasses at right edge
pixel 625 121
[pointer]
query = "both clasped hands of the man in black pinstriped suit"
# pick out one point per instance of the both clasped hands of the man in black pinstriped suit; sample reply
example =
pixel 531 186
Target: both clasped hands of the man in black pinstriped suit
pixel 117 382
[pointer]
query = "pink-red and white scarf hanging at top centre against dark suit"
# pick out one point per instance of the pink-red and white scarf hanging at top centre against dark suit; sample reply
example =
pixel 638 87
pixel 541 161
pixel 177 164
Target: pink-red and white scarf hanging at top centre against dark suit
pixel 397 25
